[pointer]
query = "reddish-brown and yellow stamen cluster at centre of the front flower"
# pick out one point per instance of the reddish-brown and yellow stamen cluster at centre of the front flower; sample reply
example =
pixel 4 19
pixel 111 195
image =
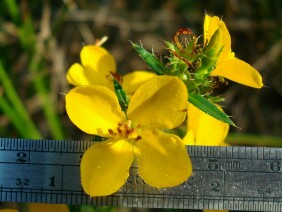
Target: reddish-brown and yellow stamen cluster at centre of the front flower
pixel 125 130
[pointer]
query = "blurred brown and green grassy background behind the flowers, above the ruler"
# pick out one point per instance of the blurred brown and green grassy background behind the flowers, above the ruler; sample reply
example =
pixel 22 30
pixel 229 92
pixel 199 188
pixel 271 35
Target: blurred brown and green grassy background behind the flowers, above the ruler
pixel 40 40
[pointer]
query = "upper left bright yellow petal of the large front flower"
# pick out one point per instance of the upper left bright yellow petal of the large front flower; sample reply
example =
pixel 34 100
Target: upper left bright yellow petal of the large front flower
pixel 94 109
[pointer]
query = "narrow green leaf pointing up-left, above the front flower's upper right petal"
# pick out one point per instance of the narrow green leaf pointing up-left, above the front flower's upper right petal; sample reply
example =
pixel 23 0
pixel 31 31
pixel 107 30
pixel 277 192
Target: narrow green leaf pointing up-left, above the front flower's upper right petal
pixel 151 60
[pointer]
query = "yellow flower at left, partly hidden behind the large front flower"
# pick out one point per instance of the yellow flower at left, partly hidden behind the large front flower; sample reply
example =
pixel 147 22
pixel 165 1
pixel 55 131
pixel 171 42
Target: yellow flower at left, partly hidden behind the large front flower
pixel 97 68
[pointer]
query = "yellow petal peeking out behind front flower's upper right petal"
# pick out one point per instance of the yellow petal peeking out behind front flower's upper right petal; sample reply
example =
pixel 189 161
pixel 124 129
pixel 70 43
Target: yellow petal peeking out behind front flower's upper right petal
pixel 132 81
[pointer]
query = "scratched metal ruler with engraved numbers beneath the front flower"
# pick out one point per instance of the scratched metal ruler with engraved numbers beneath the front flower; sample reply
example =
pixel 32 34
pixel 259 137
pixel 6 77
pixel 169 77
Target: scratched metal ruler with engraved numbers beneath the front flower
pixel 231 178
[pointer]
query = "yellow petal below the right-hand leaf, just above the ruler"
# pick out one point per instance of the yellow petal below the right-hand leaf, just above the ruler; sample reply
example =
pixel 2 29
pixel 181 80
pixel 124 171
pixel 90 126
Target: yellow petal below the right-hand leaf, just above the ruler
pixel 207 130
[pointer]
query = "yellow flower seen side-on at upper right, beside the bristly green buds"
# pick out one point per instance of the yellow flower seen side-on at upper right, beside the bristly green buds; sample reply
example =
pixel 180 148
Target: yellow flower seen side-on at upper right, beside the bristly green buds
pixel 228 65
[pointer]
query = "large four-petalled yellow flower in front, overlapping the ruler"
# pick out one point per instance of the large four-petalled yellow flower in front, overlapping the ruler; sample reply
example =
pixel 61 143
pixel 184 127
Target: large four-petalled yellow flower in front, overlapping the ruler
pixel 159 103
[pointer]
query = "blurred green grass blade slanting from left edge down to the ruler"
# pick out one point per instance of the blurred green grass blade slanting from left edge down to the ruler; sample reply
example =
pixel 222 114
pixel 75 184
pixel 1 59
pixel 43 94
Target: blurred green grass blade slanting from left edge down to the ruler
pixel 17 104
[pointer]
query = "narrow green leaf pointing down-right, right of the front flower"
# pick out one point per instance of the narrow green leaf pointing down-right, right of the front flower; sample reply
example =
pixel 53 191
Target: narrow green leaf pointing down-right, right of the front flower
pixel 208 107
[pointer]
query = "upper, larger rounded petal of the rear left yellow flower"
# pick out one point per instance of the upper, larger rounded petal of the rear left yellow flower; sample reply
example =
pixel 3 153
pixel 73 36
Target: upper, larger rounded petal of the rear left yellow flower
pixel 98 63
